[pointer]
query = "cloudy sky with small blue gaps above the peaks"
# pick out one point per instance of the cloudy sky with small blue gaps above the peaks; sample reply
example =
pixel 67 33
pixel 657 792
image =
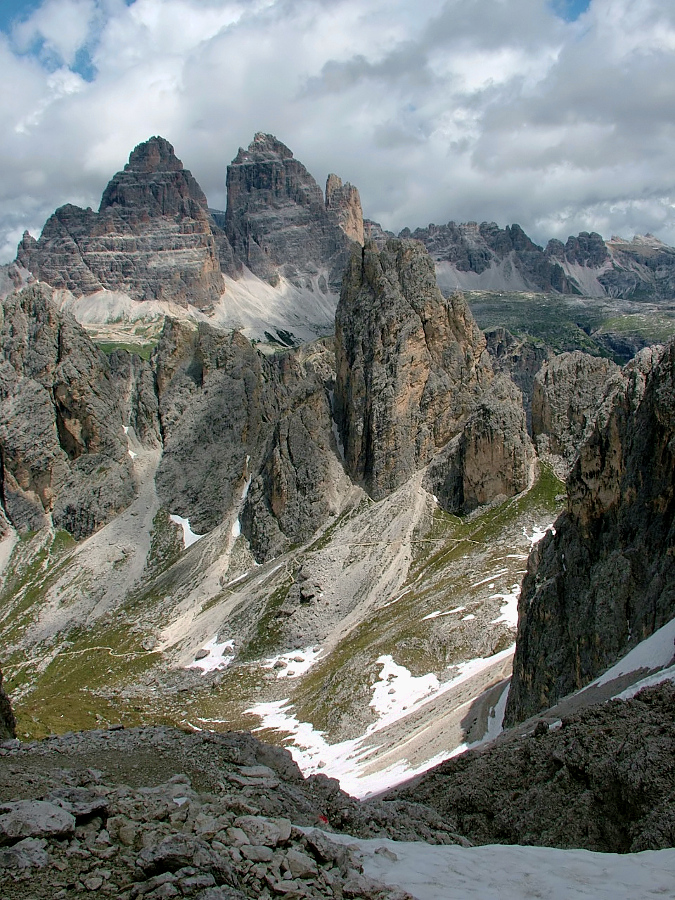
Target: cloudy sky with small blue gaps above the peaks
pixel 556 114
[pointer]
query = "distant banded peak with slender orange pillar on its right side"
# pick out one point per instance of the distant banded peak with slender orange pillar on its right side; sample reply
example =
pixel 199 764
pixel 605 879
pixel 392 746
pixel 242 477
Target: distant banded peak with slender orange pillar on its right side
pixel 279 223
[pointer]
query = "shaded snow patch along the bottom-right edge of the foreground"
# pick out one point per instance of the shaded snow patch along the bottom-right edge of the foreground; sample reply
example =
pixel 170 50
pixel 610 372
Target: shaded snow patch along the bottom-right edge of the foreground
pixel 498 872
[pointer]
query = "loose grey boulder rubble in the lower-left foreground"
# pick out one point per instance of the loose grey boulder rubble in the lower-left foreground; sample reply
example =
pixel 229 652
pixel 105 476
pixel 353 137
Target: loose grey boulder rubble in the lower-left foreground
pixel 158 813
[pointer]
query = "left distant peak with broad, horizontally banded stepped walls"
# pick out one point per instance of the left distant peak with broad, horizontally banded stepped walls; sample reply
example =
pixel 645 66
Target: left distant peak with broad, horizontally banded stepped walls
pixel 152 237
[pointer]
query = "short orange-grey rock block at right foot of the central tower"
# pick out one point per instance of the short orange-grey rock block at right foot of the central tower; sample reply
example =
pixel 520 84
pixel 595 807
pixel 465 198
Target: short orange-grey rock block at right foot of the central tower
pixel 492 457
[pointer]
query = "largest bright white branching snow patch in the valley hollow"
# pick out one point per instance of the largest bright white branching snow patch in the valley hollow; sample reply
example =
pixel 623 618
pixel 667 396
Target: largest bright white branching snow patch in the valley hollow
pixel 397 694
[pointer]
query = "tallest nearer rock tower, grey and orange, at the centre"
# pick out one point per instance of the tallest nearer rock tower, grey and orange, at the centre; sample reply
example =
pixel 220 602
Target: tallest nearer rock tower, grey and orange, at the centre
pixel 410 364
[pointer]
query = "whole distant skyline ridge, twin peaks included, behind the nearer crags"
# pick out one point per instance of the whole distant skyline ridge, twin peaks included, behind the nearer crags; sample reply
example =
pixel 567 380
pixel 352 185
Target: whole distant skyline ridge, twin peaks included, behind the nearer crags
pixel 155 238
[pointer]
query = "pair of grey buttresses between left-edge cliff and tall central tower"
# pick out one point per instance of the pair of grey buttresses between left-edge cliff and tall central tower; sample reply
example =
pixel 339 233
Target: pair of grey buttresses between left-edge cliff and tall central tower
pixel 242 428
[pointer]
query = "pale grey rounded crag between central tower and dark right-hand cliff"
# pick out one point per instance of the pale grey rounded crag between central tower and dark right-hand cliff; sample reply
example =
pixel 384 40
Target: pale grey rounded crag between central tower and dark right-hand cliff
pixel 567 393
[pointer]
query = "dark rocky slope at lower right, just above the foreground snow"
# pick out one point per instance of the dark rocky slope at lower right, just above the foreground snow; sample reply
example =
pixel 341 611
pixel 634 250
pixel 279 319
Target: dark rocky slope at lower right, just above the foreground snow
pixel 602 781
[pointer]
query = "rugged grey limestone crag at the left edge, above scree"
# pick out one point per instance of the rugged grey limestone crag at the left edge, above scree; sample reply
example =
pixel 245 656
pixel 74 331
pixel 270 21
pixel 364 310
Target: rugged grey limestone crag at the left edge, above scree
pixel 62 444
